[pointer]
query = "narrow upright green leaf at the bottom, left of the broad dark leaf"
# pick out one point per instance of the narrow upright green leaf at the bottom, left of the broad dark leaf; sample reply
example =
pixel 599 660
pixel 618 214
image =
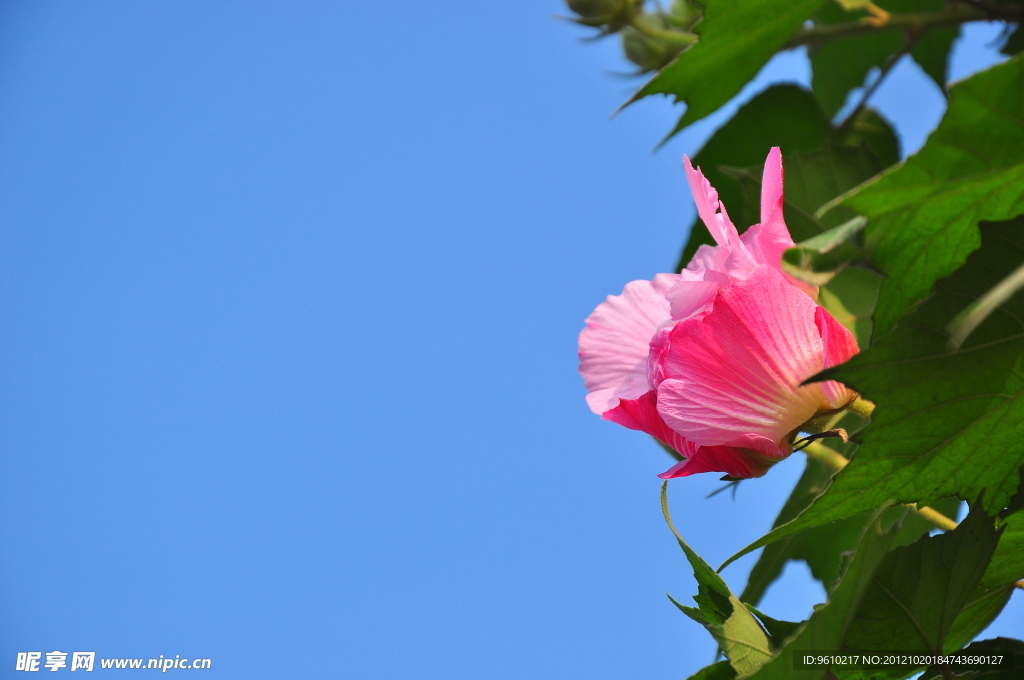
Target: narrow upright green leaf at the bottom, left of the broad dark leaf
pixel 828 626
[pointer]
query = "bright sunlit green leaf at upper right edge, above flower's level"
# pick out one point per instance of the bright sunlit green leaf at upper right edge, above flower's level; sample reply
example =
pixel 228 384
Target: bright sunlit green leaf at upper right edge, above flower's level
pixel 924 216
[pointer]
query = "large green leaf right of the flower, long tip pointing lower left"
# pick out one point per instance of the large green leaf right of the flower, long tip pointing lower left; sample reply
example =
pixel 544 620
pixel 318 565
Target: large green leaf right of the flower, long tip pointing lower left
pixel 947 423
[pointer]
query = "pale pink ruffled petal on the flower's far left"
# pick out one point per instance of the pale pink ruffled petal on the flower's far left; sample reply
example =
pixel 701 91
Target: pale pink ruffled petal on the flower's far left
pixel 614 348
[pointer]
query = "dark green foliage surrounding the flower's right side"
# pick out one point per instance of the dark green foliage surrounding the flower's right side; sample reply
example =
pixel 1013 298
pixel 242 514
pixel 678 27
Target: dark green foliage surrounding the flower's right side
pixel 902 252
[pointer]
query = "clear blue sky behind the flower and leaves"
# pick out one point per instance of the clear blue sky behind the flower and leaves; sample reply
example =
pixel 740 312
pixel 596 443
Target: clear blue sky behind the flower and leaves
pixel 289 297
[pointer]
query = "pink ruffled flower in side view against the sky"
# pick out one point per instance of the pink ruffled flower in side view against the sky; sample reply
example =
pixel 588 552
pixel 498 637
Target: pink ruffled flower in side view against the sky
pixel 711 361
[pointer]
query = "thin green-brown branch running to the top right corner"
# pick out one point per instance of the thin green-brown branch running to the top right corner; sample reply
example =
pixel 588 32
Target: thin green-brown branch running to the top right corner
pixel 907 22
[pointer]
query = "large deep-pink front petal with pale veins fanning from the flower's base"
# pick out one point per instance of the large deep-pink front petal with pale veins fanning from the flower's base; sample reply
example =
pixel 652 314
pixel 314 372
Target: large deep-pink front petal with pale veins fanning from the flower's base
pixel 737 371
